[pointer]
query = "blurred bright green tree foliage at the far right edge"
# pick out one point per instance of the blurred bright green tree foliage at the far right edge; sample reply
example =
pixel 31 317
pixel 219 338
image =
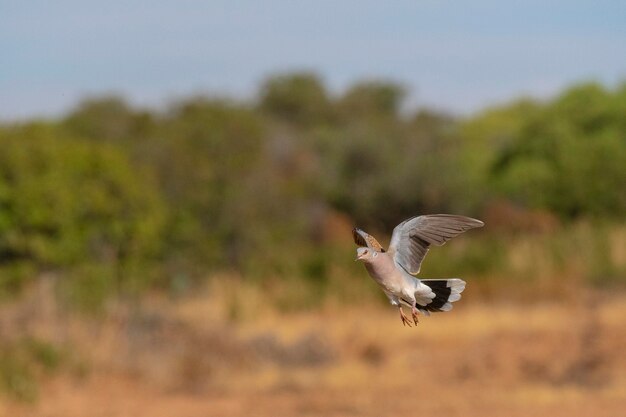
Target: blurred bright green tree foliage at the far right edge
pixel 565 156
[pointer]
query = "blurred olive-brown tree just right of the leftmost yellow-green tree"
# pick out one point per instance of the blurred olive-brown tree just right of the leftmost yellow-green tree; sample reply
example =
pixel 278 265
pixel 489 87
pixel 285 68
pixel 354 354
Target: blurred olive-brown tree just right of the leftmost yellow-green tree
pixel 209 149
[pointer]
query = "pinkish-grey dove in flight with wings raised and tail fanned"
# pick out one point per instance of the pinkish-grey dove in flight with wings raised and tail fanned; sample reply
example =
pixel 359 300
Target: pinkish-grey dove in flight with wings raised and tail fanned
pixel 394 269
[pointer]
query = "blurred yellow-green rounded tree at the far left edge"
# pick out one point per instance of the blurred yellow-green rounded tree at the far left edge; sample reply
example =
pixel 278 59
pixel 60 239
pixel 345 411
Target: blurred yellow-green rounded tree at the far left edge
pixel 66 202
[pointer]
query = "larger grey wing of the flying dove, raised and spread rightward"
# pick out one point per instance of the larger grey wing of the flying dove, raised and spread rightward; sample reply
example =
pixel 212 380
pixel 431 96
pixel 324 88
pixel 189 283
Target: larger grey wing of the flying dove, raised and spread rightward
pixel 412 238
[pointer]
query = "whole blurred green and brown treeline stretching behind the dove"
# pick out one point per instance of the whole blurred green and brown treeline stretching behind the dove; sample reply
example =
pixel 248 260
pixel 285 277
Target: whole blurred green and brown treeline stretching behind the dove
pixel 113 199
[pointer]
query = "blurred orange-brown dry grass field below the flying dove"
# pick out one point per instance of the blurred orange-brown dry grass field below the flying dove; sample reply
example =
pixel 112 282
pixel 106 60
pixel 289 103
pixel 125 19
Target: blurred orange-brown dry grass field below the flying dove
pixel 188 359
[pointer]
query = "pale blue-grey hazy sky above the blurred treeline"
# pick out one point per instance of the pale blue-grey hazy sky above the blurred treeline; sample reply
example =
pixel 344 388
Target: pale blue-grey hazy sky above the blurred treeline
pixel 458 56
